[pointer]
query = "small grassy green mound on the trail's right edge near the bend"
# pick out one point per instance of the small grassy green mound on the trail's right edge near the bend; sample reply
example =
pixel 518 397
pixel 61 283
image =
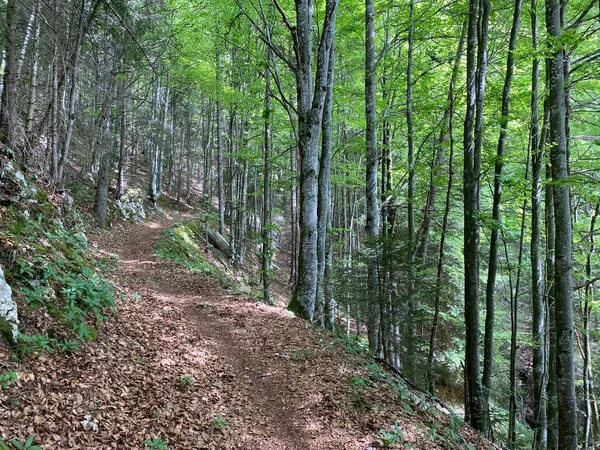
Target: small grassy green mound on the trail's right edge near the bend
pixel 185 244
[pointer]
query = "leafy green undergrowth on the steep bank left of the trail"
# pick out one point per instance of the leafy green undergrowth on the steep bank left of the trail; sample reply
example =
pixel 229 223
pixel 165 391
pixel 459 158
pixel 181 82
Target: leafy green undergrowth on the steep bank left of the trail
pixel 54 276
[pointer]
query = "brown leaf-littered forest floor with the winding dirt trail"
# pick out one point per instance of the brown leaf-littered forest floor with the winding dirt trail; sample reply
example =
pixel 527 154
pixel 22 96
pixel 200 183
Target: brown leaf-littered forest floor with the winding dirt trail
pixel 187 364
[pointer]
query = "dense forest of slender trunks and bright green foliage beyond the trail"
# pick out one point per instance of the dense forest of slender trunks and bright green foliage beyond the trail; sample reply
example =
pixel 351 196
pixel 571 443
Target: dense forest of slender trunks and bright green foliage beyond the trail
pixel 424 172
